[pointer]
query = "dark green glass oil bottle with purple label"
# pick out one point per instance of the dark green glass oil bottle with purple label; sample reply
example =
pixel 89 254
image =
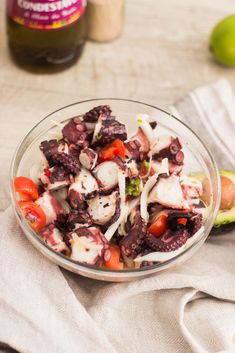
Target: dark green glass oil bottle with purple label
pixel 47 34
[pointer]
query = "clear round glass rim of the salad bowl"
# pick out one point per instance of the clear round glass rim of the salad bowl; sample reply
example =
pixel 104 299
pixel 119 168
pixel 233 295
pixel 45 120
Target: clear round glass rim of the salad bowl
pixel 66 262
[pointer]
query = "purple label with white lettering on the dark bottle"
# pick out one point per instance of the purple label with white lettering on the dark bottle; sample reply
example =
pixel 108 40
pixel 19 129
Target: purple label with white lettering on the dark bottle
pixel 45 14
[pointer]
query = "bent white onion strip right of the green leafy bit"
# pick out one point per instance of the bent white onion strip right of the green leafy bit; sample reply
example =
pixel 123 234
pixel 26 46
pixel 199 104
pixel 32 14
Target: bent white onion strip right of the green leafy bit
pixel 148 186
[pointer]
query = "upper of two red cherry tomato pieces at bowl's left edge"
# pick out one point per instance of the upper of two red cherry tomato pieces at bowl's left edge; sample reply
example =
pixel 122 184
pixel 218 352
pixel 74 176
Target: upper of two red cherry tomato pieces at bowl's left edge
pixel 26 187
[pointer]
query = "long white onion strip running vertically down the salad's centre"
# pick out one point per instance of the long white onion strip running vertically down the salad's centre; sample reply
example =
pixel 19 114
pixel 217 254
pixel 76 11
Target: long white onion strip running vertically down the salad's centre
pixel 122 191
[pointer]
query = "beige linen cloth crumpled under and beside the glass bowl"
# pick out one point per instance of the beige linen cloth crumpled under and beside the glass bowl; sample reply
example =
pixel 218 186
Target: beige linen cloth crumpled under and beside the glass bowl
pixel 186 309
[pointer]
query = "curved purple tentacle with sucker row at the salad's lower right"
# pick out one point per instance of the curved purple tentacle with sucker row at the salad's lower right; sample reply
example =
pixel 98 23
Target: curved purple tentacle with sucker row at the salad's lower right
pixel 170 241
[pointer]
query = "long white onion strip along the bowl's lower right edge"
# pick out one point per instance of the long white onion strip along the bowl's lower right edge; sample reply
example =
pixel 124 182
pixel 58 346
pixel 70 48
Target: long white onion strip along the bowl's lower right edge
pixel 158 256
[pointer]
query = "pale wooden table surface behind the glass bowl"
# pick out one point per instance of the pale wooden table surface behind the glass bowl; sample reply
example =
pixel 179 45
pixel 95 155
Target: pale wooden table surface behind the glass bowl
pixel 162 54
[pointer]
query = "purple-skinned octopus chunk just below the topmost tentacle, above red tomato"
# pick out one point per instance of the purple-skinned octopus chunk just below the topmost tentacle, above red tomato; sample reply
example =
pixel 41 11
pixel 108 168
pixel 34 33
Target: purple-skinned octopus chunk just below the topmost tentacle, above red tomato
pixel 110 130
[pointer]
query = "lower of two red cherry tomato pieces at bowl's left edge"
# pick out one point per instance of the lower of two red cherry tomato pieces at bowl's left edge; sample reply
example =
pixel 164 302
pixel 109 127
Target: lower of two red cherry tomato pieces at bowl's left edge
pixel 34 214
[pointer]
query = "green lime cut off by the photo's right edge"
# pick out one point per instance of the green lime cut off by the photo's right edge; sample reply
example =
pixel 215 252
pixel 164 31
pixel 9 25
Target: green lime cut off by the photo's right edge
pixel 222 41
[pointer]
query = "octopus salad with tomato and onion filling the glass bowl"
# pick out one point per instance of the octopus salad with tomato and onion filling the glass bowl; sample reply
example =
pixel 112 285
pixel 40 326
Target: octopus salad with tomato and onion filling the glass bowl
pixel 103 197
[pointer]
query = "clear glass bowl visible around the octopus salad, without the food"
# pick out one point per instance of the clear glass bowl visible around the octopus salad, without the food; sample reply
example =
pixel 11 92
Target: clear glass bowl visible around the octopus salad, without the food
pixel 197 158
